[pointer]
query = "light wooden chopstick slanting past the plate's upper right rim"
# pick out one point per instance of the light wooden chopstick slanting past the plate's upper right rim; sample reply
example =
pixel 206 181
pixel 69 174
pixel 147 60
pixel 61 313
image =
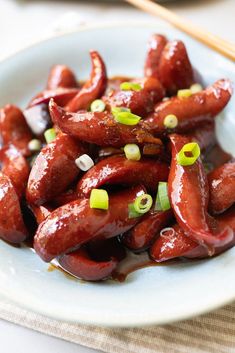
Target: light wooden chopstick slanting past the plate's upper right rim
pixel 218 44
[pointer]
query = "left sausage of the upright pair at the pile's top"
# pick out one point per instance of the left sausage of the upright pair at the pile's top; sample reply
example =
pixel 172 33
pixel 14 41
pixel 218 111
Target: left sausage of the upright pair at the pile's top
pixel 156 45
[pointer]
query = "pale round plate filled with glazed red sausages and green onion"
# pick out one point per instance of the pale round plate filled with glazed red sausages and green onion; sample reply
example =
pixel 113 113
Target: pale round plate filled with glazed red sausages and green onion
pixel 117 182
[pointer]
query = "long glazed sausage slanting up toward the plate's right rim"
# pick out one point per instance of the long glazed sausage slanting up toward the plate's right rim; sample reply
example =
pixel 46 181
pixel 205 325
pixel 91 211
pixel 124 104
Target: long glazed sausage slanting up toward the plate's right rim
pixel 193 111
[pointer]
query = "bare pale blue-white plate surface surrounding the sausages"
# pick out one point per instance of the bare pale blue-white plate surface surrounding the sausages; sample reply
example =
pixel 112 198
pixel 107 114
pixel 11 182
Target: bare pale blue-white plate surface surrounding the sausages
pixel 149 296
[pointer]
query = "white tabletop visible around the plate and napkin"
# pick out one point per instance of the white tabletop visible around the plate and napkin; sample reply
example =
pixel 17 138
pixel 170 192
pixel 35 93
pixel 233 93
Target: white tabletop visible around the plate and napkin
pixel 21 22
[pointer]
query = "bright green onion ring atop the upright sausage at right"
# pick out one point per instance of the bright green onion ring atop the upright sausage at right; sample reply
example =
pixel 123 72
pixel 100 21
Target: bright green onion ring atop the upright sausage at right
pixel 189 154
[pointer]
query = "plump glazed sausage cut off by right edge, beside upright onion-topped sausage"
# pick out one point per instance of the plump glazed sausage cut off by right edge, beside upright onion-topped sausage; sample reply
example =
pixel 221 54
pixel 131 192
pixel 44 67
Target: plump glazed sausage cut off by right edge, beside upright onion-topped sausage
pixel 222 188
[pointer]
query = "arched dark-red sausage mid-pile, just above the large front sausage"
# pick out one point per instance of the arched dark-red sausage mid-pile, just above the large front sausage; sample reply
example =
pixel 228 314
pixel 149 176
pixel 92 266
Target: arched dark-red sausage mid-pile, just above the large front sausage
pixel 119 170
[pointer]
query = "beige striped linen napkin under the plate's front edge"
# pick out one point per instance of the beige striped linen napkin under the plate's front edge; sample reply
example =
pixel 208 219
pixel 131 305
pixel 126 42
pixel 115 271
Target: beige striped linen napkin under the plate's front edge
pixel 214 332
